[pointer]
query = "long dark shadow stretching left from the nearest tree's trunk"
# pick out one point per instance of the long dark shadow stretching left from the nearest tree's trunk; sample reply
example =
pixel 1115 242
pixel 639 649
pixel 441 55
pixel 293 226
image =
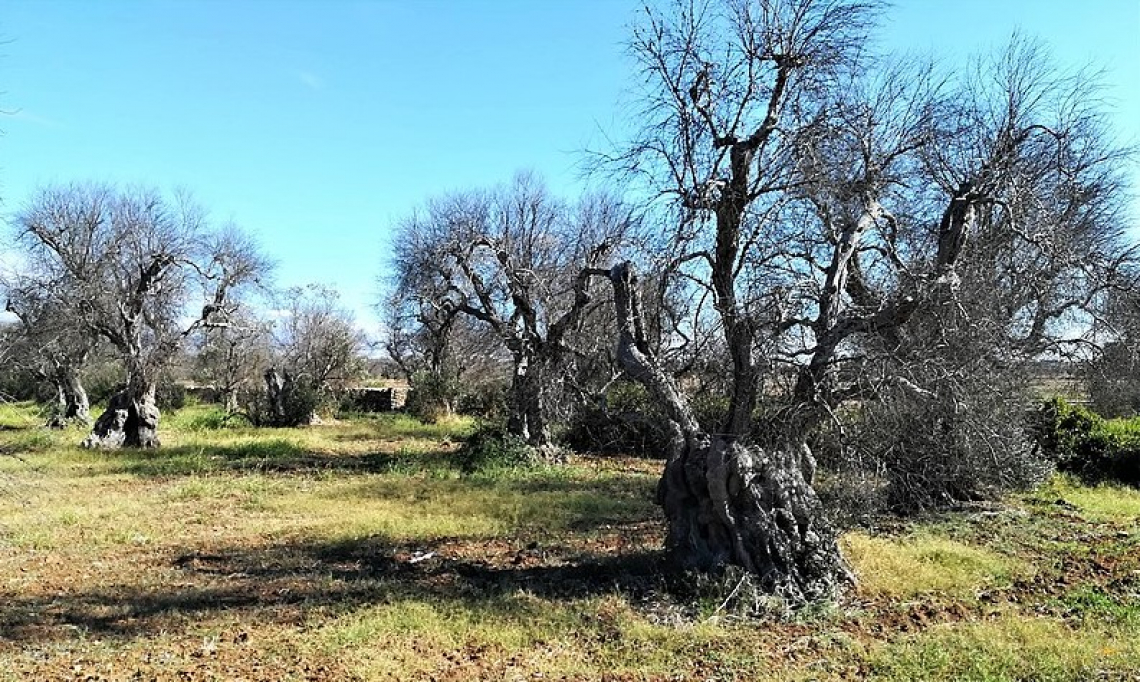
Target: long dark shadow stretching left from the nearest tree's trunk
pixel 279 584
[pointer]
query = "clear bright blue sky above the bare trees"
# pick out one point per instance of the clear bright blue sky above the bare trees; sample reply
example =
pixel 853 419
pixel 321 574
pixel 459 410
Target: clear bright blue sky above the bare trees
pixel 317 125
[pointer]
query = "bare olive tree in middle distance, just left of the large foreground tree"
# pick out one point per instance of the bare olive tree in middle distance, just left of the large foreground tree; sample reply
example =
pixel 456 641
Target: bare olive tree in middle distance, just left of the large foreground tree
pixel 514 261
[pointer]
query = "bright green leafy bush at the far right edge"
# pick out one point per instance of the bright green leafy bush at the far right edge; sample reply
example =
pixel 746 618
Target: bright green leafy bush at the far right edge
pixel 1082 443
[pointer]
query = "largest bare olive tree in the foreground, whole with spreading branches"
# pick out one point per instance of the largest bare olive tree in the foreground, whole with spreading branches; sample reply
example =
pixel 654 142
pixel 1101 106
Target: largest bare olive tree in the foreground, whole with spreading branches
pixel 832 206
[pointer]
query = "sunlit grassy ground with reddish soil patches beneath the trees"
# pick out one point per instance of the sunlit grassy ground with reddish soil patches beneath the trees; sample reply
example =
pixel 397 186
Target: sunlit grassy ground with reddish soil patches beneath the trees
pixel 359 550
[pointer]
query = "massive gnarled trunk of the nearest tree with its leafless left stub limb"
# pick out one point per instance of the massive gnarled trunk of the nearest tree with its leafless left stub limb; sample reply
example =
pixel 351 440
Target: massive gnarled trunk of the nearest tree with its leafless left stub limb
pixel 728 502
